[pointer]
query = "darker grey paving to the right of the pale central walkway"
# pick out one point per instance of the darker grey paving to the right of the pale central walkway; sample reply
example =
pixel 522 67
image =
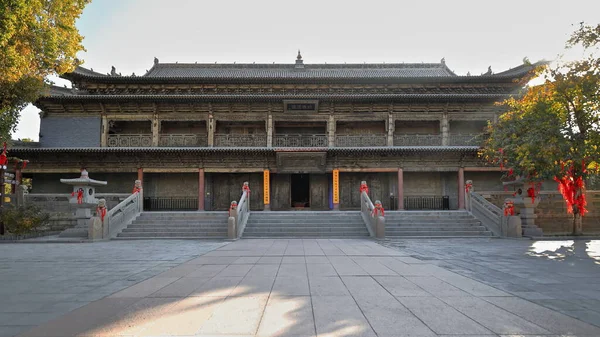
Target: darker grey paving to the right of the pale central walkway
pixel 562 275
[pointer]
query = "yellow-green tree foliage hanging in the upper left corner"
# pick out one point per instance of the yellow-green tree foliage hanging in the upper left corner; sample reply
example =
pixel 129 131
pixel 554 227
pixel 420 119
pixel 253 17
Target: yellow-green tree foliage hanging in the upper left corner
pixel 37 38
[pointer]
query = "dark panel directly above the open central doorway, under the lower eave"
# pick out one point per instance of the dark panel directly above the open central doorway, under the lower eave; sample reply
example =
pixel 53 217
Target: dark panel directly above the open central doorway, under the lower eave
pixel 301 162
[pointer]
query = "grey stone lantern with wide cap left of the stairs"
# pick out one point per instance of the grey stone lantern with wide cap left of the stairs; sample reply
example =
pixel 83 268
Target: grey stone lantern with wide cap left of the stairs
pixel 84 200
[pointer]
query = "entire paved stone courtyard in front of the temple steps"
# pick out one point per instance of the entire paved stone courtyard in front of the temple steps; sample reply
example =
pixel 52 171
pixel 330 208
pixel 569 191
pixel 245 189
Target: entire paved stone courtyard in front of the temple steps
pixel 474 287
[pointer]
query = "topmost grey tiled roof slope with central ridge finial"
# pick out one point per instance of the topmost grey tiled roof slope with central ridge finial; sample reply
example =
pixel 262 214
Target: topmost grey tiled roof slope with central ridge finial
pixel 243 71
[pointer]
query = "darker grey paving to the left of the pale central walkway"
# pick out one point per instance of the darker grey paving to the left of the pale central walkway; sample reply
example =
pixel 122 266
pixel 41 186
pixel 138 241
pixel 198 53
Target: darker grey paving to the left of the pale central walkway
pixel 42 281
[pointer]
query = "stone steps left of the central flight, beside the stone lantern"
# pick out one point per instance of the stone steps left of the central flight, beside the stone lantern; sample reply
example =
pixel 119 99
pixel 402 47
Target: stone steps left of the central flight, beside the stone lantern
pixel 177 225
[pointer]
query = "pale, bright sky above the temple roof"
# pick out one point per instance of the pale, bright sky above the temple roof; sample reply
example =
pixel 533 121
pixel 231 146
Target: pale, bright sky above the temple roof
pixel 470 34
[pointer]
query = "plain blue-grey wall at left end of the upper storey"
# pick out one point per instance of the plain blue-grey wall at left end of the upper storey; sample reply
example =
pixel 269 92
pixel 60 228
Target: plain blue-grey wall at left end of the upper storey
pixel 58 131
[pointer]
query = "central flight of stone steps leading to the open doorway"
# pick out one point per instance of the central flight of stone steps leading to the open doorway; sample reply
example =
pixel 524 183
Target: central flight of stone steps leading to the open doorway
pixel 305 224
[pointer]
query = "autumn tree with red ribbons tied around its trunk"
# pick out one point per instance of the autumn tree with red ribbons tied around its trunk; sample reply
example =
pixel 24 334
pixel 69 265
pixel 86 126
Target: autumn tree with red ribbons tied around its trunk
pixel 552 132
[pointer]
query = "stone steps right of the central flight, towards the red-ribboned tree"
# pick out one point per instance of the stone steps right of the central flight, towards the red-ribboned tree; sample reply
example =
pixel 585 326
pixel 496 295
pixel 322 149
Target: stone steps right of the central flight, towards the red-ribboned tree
pixel 433 224
